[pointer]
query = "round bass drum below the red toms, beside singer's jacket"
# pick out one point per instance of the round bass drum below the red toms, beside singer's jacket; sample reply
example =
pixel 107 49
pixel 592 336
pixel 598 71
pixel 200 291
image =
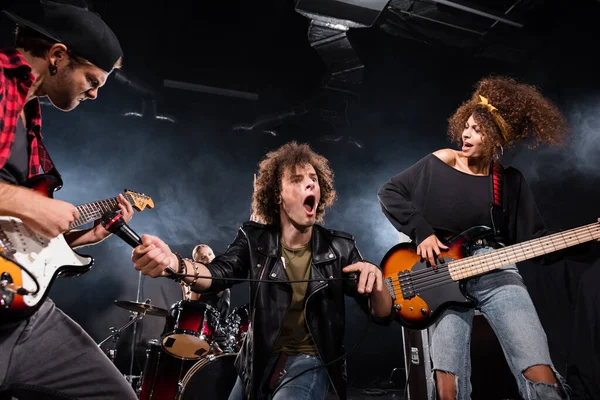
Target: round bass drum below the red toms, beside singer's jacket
pixel 211 378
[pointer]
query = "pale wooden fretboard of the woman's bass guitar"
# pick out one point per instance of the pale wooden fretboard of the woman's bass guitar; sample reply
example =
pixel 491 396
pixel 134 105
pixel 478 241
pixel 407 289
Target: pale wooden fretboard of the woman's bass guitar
pixel 481 263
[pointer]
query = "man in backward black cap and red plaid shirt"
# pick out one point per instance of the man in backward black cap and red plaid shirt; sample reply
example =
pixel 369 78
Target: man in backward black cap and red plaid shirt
pixel 65 53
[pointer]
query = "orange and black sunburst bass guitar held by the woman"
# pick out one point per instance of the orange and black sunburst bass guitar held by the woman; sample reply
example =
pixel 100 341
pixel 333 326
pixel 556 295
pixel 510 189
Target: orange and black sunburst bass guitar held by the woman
pixel 421 293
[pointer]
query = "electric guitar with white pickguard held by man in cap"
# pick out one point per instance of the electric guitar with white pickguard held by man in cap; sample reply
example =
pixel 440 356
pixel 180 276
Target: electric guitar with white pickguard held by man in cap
pixel 29 263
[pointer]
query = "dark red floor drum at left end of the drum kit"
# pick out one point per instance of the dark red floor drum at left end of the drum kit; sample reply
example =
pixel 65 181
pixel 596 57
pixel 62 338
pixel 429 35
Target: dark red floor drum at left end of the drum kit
pixel 162 373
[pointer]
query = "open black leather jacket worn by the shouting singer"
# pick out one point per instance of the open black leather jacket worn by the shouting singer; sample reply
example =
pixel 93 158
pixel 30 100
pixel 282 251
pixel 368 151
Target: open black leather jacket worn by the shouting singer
pixel 256 253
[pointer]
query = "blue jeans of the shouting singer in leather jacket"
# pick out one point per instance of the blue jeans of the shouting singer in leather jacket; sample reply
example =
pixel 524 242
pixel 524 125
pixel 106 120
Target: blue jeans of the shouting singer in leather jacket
pixel 312 385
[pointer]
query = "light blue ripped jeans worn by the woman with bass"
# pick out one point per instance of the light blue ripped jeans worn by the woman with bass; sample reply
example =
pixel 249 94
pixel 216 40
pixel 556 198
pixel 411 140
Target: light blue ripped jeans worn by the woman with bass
pixel 504 301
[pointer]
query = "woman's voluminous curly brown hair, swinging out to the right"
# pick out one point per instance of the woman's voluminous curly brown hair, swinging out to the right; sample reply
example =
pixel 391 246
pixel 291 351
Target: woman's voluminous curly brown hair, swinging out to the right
pixel 527 112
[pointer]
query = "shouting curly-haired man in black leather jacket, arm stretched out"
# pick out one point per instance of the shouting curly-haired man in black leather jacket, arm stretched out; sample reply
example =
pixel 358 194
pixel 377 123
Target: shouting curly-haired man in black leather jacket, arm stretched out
pixel 294 345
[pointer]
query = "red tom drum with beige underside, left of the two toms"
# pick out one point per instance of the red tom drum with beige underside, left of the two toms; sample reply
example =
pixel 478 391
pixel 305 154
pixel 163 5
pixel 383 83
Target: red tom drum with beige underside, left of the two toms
pixel 189 329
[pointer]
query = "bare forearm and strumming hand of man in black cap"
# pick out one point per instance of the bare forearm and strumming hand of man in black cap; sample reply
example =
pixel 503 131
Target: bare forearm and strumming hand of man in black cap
pixel 43 215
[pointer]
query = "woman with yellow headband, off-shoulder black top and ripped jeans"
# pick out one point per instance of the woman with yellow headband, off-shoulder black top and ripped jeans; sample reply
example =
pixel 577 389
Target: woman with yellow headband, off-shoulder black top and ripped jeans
pixel 449 191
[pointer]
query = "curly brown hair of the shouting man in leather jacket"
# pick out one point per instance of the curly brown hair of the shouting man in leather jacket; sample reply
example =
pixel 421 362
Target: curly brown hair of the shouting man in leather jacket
pixel 267 186
